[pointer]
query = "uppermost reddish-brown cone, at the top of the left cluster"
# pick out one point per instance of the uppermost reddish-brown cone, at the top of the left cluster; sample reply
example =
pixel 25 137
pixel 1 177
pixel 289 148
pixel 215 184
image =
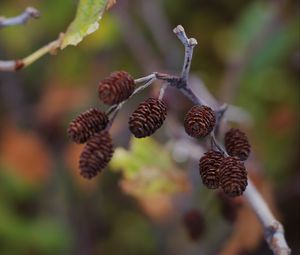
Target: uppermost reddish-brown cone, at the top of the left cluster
pixel 116 88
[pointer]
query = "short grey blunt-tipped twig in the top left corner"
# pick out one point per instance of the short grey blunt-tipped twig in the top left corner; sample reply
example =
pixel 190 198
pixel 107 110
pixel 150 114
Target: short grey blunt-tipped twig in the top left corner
pixel 29 12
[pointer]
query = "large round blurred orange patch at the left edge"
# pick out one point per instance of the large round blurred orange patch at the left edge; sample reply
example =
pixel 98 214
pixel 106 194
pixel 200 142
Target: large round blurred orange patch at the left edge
pixel 24 153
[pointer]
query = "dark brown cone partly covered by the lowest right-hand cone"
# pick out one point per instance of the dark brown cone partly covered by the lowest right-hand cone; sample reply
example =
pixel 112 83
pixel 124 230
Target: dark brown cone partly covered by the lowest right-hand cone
pixel 209 168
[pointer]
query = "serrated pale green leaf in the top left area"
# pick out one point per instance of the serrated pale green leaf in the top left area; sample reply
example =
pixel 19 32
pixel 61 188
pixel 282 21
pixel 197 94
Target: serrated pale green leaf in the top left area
pixel 86 21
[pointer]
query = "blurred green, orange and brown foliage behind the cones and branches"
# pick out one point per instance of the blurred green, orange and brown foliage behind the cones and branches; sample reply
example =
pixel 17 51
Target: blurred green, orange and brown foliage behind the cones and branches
pixel 247 55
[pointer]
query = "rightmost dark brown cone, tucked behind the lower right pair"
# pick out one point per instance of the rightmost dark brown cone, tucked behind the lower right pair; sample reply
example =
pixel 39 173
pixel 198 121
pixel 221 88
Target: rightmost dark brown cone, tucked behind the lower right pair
pixel 237 144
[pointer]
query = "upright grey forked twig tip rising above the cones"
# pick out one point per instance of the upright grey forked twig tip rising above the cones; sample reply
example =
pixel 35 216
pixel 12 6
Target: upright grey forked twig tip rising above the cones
pixel 189 44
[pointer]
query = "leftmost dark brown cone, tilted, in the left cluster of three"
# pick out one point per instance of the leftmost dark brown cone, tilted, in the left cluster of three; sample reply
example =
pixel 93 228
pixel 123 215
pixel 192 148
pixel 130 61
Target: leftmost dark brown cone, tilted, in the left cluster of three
pixel 87 124
